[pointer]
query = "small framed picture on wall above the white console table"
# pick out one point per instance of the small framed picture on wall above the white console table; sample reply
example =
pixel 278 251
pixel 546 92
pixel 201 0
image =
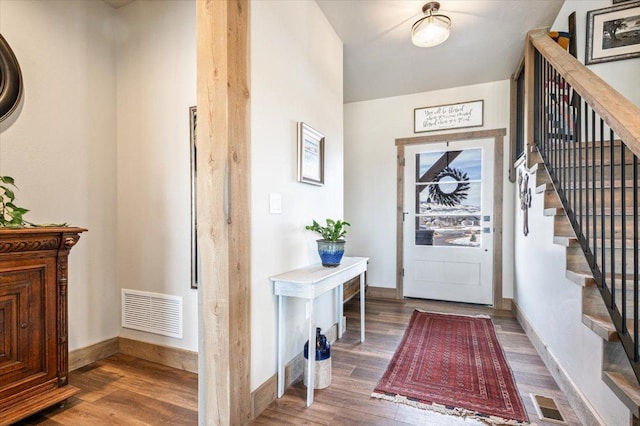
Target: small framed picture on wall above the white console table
pixel 310 155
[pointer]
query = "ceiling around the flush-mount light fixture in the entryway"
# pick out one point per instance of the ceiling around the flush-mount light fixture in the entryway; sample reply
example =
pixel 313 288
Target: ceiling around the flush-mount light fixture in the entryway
pixel 486 43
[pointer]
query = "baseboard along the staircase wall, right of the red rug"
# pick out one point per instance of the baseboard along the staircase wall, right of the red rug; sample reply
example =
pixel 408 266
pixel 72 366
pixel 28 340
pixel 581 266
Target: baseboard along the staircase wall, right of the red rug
pixel 576 398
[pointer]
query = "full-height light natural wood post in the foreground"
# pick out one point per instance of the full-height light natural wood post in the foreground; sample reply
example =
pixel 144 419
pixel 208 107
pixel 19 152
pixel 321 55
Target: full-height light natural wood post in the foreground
pixel 223 211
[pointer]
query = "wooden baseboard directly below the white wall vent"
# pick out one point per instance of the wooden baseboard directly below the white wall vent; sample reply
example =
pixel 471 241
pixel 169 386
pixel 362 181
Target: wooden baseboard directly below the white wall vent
pixel 165 355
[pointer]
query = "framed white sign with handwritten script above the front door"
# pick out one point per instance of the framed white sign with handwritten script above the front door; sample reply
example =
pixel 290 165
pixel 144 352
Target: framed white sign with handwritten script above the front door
pixel 450 116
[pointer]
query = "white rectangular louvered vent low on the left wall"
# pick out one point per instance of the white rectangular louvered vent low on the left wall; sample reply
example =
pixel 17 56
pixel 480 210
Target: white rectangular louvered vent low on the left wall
pixel 152 312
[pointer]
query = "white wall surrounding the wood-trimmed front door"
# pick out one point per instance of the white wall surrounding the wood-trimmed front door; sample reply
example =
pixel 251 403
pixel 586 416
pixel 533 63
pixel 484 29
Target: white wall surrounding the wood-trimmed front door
pixel 371 128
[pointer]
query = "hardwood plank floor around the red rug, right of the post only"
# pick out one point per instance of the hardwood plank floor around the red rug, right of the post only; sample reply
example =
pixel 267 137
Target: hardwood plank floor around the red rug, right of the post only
pixel 358 367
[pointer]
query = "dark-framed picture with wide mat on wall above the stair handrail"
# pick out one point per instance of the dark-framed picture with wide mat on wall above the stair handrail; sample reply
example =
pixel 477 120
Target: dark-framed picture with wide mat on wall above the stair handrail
pixel 613 33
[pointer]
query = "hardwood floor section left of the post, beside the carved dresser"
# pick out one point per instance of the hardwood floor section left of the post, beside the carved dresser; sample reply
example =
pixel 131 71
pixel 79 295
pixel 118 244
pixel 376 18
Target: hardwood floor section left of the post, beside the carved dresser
pixel 123 390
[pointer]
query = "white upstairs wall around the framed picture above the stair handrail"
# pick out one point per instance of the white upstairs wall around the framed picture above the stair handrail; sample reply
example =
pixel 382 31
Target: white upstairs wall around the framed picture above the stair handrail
pixel 621 75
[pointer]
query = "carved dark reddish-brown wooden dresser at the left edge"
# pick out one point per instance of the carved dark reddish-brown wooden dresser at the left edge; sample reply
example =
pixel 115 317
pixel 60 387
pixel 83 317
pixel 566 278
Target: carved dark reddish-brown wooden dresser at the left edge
pixel 33 319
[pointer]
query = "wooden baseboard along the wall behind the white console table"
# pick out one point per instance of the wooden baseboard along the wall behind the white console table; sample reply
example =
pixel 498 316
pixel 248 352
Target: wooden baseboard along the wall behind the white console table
pixel 267 392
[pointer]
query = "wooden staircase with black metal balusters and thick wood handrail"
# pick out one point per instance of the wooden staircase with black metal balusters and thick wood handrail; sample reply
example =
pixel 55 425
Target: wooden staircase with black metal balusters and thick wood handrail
pixel 584 145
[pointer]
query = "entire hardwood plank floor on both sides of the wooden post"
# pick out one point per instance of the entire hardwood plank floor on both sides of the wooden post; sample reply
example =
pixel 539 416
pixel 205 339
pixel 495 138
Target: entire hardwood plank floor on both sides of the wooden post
pixel 123 390
